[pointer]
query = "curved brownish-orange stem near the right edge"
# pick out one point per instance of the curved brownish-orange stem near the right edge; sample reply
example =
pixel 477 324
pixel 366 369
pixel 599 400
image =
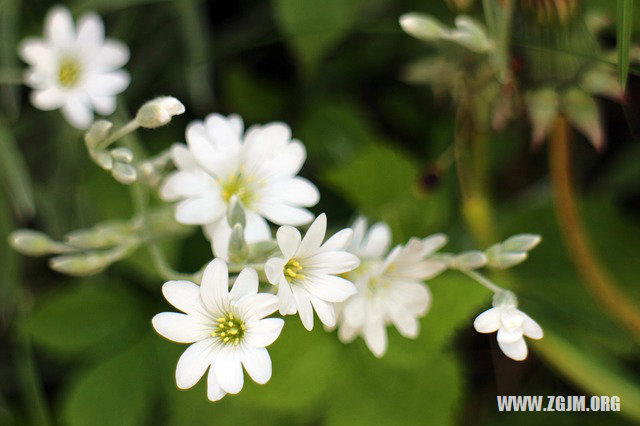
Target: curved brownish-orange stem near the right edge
pixel 595 276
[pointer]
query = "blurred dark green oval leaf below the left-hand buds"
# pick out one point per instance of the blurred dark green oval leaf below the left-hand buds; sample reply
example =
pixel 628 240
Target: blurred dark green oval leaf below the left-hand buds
pixel 82 317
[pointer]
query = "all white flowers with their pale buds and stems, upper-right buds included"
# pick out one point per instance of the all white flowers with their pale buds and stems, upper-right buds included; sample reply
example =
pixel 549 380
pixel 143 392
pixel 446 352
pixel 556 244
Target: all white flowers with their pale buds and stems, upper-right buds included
pixel 237 185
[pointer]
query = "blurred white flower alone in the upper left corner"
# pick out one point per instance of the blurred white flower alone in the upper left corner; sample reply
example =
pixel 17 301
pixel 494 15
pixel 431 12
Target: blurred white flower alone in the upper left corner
pixel 77 71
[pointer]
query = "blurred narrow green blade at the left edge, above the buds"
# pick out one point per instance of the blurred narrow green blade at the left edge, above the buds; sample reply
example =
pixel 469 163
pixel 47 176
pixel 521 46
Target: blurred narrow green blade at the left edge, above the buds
pixel 14 173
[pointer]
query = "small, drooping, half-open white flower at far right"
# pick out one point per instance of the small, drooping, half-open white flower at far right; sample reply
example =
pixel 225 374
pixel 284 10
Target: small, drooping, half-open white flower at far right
pixel 512 325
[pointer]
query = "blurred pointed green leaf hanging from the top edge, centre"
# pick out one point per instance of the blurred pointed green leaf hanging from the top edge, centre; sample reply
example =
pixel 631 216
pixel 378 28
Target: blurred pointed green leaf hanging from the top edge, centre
pixel 314 27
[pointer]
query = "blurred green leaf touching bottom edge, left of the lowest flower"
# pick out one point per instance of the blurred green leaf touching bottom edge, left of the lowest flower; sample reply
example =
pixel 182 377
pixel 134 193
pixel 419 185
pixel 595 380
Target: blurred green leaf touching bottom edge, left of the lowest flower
pixel 116 392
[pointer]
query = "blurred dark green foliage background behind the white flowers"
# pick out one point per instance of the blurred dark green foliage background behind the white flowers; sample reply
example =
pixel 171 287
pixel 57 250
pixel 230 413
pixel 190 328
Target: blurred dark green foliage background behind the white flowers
pixel 82 352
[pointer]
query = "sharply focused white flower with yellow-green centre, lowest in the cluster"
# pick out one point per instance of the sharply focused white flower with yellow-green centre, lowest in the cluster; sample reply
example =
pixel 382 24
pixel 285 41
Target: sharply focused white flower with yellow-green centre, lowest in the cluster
pixel 227 329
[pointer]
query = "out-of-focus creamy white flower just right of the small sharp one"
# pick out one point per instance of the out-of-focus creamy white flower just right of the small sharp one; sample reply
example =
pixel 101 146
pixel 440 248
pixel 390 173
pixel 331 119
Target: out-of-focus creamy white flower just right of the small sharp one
pixel 390 290
